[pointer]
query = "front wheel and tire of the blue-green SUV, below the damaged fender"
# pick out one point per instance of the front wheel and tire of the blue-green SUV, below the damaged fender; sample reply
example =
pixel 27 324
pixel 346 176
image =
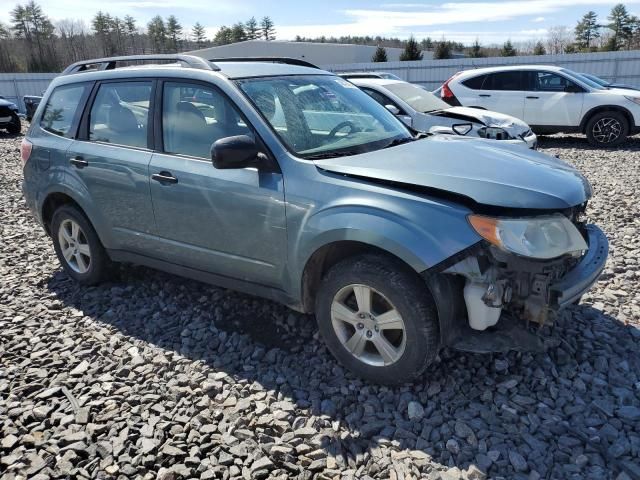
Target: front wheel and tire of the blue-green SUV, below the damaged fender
pixel 378 319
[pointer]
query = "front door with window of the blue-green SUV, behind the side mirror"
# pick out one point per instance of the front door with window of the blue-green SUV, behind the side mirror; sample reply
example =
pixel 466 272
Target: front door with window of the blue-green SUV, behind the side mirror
pixel 227 222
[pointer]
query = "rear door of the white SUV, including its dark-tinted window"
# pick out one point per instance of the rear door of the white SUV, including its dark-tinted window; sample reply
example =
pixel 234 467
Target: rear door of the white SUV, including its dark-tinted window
pixel 501 92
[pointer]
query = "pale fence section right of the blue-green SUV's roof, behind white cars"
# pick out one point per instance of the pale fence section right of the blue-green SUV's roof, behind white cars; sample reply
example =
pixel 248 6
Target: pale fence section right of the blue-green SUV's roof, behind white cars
pixel 623 67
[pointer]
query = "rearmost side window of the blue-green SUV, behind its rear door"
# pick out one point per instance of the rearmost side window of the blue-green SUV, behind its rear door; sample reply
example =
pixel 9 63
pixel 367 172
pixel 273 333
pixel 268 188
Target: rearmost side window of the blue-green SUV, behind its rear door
pixel 61 109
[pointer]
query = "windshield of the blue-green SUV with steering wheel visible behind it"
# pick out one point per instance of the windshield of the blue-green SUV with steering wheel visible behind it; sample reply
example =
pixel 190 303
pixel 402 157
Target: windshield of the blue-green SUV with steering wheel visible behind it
pixel 322 116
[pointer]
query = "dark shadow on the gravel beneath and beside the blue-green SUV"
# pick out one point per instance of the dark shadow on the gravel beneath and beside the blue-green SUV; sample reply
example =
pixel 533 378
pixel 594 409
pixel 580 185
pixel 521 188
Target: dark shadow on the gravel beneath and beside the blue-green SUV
pixel 569 411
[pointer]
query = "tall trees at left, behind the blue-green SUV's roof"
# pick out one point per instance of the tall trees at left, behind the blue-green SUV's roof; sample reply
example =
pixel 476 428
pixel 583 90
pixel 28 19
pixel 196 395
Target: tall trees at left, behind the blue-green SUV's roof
pixel 32 42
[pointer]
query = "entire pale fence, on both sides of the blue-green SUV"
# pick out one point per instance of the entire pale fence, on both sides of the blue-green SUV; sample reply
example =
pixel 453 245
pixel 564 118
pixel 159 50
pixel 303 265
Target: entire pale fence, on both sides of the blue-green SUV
pixel 623 67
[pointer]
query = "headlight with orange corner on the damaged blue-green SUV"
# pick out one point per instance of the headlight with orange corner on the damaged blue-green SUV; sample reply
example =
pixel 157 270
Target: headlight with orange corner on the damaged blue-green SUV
pixel 537 237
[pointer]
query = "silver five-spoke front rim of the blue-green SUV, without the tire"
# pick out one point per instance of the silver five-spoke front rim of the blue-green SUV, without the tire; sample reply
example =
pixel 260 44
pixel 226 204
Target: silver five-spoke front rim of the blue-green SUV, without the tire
pixel 368 325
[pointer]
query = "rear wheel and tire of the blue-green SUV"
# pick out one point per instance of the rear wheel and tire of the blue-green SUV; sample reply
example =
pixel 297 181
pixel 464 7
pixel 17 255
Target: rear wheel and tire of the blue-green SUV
pixel 78 247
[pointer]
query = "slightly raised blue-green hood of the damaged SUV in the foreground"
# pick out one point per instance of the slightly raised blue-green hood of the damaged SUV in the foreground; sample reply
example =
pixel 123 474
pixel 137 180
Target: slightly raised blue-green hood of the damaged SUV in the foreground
pixel 488 174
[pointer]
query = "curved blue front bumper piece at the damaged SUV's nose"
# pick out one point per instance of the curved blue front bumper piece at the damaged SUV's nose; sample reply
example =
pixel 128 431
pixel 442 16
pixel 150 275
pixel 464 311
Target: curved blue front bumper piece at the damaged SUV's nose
pixel 580 279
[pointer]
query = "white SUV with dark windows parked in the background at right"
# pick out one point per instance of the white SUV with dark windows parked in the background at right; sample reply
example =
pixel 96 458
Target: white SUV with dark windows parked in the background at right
pixel 550 99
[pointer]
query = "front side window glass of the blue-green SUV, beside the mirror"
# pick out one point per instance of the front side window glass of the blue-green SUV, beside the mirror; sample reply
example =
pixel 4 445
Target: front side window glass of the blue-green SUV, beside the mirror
pixel 196 116
